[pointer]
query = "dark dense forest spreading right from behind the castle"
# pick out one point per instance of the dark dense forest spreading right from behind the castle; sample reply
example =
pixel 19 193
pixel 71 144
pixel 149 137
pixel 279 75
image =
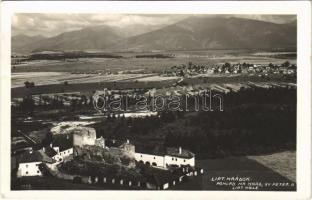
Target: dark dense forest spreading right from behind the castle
pixel 254 121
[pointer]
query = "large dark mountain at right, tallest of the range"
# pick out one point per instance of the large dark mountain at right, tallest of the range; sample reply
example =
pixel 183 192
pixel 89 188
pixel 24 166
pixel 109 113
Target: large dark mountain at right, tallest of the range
pixel 215 33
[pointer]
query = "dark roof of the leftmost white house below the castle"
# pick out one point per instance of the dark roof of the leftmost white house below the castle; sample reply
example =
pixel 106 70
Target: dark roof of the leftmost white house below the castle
pixel 36 156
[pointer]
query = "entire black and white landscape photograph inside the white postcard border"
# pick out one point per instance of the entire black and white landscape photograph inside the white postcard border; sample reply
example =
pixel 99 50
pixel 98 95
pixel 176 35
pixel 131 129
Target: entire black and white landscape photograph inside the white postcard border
pixel 137 101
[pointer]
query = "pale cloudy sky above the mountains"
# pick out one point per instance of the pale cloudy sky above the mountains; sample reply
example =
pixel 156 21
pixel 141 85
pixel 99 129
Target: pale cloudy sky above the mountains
pixel 49 25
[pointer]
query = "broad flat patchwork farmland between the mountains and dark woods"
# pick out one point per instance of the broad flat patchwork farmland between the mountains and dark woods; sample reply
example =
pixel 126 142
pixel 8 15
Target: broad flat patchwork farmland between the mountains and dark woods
pixel 89 74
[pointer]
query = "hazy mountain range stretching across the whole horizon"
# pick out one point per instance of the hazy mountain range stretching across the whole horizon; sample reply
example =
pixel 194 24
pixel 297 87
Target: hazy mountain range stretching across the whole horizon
pixel 193 33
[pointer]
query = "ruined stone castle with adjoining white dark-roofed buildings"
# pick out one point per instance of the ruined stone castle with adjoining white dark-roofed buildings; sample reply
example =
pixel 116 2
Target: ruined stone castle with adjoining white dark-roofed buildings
pixel 62 147
